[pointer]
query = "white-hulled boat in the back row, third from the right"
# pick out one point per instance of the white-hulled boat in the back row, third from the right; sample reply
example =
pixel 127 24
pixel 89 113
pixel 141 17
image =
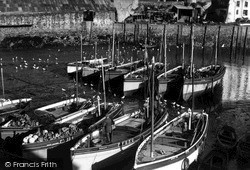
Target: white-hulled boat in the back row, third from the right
pixel 138 79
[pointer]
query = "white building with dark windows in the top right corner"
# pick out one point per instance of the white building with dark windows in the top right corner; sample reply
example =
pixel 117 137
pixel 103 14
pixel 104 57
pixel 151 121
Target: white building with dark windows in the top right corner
pixel 238 9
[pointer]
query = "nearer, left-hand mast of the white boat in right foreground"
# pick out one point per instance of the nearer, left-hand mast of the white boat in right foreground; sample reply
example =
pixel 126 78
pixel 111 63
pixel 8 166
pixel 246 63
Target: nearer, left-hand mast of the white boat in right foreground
pixel 152 116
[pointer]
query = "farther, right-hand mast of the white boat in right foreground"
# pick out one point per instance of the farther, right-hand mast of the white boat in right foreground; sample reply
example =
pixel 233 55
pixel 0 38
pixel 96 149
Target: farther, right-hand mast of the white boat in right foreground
pixel 192 75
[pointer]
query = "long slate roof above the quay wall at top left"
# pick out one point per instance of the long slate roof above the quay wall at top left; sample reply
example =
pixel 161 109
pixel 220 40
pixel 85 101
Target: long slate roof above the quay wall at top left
pixel 55 5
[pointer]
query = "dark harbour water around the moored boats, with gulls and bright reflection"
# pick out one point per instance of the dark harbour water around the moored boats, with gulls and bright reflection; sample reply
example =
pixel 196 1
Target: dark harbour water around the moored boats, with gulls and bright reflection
pixel 45 72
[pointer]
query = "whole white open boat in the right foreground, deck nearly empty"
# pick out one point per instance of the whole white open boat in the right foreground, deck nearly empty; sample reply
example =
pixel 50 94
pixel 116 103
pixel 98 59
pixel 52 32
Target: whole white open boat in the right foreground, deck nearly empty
pixel 175 145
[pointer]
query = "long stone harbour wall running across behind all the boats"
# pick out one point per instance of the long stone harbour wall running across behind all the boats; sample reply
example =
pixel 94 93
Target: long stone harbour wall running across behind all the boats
pixel 39 29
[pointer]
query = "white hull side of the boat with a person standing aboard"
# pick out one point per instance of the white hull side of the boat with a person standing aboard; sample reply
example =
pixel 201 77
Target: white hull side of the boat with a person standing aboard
pixel 110 154
